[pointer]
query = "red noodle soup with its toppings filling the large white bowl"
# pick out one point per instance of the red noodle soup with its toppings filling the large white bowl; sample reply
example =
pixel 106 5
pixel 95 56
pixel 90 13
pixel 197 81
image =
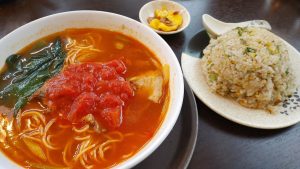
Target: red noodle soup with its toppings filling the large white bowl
pixel 100 108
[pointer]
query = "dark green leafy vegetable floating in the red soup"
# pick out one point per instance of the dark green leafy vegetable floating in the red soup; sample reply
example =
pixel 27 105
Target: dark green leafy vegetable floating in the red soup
pixel 25 75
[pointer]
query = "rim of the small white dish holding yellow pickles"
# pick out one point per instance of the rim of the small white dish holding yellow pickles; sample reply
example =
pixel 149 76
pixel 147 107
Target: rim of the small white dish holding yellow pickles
pixel 188 19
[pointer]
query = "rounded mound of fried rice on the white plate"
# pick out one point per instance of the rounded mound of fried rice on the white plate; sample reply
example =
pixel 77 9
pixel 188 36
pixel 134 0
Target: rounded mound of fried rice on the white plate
pixel 250 65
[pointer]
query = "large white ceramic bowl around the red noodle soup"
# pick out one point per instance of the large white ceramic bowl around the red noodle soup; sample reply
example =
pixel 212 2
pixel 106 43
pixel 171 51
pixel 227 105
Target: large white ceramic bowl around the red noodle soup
pixel 37 29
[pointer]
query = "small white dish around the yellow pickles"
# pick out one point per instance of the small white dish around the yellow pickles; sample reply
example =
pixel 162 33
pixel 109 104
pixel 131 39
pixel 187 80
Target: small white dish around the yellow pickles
pixel 148 11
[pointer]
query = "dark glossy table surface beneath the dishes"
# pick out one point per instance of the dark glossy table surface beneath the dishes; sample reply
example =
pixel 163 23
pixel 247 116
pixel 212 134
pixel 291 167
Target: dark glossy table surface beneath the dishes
pixel 221 143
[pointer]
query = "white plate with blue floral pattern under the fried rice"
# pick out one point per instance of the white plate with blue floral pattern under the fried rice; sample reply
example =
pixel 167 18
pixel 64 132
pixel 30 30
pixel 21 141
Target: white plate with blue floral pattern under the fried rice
pixel 284 117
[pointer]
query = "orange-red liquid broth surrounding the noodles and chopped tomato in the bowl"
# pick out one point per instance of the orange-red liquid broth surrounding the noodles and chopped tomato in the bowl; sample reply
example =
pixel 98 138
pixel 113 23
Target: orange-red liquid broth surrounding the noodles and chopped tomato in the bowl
pixel 141 117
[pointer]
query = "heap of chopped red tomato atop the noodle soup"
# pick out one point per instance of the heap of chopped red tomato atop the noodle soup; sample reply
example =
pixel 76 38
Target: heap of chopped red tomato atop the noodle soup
pixel 90 88
